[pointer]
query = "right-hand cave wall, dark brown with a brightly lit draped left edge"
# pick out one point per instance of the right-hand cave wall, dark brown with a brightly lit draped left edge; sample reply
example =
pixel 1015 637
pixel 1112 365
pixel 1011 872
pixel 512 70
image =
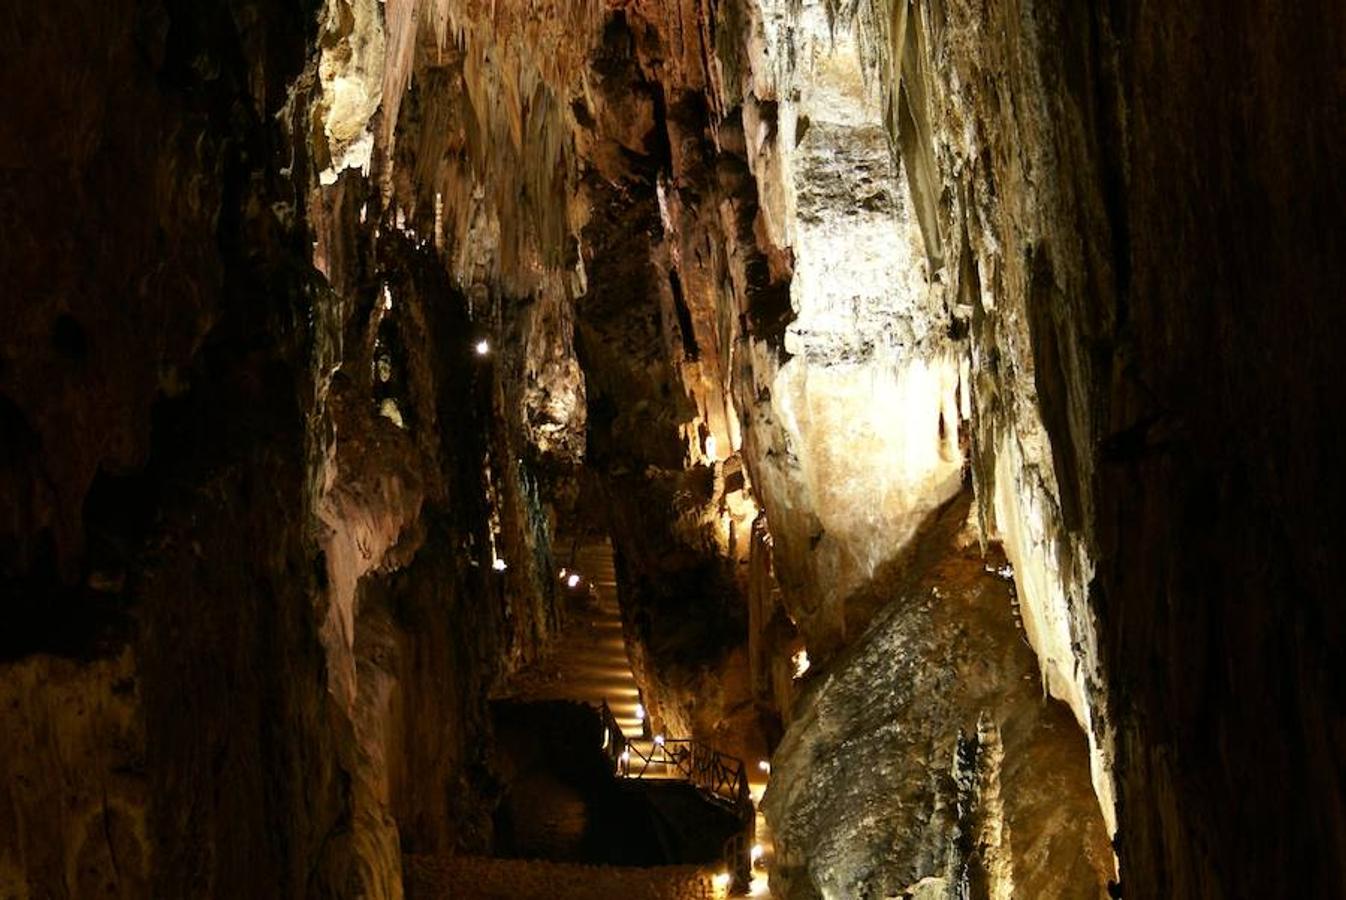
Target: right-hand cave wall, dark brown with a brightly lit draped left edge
pixel 1147 276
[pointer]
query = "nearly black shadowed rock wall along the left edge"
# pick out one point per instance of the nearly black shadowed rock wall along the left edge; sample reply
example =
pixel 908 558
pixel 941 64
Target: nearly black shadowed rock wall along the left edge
pixel 160 654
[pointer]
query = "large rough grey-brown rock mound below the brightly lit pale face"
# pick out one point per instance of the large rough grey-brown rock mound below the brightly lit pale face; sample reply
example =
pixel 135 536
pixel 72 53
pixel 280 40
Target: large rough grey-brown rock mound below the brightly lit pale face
pixel 925 761
